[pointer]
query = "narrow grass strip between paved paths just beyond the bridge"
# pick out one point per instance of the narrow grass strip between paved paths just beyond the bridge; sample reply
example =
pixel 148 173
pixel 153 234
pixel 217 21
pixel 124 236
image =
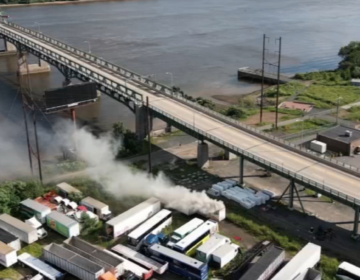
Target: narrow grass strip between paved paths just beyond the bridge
pixel 301 126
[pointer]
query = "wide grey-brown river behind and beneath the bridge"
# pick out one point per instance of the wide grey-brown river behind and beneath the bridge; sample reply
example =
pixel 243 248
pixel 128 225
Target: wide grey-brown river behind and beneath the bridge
pixel 201 42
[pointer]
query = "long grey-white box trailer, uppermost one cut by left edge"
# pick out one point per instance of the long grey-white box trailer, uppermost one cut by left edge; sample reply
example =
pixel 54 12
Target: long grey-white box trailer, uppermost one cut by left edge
pixel 23 231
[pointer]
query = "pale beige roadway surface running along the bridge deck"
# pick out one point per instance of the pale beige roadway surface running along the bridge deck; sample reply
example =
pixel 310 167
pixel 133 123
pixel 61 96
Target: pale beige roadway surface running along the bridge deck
pixel 321 173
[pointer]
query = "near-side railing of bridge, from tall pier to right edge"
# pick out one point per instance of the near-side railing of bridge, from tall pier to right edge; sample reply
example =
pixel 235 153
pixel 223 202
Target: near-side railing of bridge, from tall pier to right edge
pixel 321 186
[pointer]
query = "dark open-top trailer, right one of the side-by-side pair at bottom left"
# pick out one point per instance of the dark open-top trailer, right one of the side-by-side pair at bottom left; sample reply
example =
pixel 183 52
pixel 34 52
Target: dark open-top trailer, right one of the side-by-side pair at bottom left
pixel 99 256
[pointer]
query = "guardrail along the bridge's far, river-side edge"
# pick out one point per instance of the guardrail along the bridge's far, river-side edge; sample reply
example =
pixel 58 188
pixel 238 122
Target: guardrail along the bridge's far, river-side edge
pixel 164 89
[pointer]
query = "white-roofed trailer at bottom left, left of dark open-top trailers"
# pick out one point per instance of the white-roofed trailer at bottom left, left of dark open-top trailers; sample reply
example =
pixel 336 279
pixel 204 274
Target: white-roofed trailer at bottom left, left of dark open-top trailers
pixel 41 267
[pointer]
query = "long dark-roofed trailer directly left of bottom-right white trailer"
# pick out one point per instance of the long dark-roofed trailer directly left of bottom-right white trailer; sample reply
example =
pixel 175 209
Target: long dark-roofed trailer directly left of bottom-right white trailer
pixel 266 265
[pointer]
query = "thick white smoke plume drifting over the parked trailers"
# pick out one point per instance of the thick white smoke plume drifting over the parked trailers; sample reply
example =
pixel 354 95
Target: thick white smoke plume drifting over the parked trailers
pixel 122 181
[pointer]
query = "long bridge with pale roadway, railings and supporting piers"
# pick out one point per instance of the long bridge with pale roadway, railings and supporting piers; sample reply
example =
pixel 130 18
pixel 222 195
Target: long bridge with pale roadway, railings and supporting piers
pixel 323 175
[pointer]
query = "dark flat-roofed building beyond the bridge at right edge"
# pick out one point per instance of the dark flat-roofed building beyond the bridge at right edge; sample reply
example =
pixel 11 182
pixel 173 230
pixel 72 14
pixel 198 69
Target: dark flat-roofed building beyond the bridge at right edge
pixel 341 139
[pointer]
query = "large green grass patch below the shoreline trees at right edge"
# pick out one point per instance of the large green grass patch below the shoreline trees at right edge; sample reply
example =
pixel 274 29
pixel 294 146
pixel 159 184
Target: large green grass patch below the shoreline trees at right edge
pixel 325 97
